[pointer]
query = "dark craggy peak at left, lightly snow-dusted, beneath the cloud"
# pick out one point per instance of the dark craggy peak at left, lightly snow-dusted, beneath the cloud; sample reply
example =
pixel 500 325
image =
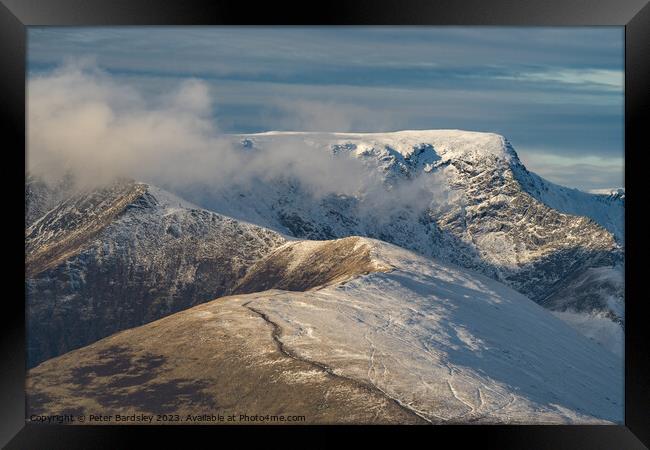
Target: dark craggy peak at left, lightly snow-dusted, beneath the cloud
pixel 124 255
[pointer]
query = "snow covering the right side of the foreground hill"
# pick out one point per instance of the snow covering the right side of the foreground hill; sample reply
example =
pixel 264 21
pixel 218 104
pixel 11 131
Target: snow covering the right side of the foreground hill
pixel 450 344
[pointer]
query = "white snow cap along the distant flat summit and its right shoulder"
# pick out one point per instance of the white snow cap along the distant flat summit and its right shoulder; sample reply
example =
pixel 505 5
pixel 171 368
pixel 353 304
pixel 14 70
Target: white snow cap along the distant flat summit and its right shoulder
pixel 605 207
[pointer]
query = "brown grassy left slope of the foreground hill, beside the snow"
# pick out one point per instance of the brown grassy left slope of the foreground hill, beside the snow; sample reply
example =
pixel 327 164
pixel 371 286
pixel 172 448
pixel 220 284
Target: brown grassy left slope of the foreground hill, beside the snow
pixel 217 358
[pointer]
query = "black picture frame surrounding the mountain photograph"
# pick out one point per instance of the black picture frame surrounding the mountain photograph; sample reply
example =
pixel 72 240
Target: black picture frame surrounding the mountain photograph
pixel 634 15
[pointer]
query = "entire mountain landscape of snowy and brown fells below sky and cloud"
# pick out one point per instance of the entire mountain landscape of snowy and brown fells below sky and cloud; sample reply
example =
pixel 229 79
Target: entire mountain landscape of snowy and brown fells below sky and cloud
pixel 404 300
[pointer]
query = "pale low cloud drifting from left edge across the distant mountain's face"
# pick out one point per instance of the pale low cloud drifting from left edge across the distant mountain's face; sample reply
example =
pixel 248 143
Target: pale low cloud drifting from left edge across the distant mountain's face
pixel 84 122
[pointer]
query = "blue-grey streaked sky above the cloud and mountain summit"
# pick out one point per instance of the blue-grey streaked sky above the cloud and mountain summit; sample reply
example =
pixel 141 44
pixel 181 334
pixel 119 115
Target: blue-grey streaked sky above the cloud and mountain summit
pixel 557 94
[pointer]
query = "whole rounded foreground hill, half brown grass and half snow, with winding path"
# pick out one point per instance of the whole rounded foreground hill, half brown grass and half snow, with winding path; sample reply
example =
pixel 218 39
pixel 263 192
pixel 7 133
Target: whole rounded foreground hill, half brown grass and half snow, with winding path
pixel 347 331
